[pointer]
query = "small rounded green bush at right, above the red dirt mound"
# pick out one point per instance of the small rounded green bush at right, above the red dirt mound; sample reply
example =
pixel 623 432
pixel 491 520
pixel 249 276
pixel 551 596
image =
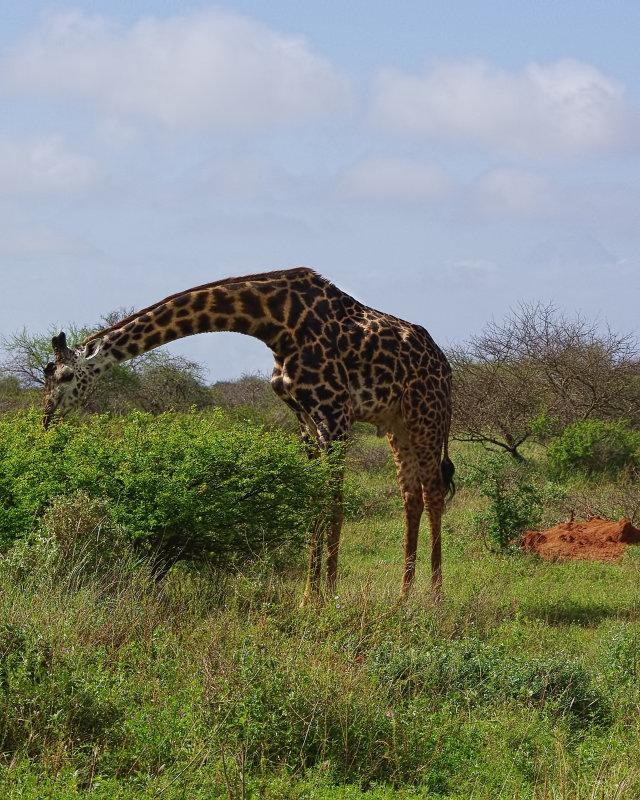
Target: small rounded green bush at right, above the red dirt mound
pixel 593 447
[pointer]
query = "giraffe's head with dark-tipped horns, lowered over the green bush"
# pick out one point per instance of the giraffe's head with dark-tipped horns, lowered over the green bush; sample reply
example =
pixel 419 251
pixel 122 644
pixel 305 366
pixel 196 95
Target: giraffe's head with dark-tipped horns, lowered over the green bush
pixel 68 378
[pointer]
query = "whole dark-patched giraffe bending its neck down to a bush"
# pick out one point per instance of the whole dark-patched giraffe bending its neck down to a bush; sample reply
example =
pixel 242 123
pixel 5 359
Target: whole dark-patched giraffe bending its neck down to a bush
pixel 336 362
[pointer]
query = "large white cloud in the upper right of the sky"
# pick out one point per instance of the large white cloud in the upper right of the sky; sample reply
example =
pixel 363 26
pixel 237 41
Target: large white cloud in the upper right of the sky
pixel 564 109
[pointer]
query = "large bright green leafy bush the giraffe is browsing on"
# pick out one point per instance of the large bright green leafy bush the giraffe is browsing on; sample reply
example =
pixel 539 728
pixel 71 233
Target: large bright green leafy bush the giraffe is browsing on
pixel 179 486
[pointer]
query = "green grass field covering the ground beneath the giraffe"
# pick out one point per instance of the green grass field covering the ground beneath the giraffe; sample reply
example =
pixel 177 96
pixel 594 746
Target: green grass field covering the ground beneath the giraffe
pixel 522 683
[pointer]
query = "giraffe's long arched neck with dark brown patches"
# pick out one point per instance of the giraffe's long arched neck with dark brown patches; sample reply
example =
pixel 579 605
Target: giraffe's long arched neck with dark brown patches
pixel 255 306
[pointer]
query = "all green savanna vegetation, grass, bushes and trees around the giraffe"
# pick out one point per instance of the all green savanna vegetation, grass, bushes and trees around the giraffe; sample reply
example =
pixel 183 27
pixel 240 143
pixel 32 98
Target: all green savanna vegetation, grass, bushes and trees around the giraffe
pixel 152 563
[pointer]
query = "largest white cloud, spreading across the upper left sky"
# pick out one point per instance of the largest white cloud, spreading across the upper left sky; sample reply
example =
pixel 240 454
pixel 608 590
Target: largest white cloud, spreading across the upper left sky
pixel 194 72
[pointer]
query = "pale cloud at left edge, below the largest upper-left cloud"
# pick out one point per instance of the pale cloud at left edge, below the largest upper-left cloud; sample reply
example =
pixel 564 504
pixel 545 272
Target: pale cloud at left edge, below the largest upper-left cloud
pixel 43 166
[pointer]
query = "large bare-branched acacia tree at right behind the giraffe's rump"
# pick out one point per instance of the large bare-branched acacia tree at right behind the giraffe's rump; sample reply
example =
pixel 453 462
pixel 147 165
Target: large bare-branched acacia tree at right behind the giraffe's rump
pixel 537 372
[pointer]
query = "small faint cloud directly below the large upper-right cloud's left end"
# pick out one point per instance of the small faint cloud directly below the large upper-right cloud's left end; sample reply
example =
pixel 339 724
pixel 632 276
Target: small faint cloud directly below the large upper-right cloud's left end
pixel 396 179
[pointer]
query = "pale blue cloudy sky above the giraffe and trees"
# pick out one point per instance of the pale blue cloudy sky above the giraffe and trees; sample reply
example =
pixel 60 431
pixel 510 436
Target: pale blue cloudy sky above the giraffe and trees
pixel 440 161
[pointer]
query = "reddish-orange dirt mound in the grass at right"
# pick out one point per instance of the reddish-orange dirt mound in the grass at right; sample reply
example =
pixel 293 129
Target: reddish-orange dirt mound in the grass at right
pixel 594 540
